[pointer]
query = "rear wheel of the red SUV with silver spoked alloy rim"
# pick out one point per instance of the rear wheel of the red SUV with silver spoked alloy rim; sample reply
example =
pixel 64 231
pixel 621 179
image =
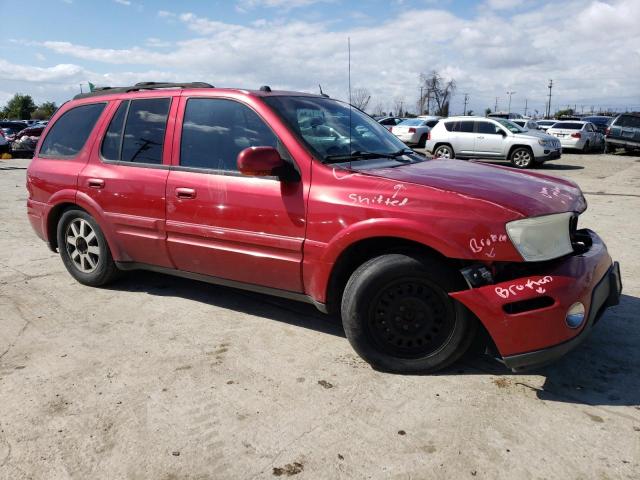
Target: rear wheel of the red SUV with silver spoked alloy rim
pixel 87 257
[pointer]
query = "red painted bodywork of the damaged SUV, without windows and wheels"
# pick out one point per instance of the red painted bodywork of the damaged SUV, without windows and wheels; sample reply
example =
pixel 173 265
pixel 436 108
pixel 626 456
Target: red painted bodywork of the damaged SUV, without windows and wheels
pixel 290 234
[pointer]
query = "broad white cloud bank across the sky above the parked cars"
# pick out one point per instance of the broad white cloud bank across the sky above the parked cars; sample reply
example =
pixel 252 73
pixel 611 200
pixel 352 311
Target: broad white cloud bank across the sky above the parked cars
pixel 591 50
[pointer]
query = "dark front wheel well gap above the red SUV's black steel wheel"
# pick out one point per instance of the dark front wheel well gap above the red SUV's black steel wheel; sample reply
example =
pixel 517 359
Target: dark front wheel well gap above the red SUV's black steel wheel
pixel 358 253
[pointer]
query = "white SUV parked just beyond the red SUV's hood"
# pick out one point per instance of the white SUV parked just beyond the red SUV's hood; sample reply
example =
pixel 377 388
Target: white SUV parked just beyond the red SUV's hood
pixel 491 138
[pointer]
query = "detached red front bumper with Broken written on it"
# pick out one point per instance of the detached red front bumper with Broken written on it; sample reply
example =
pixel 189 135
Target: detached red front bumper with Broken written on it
pixel 527 313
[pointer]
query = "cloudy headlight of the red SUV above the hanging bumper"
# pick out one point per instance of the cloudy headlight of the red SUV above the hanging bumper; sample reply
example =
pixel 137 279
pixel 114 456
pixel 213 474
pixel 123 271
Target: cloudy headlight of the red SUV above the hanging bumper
pixel 541 238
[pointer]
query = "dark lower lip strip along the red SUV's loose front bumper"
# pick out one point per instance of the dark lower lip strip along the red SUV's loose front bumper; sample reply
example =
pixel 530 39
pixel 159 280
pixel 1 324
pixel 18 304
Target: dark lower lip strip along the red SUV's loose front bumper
pixel 605 294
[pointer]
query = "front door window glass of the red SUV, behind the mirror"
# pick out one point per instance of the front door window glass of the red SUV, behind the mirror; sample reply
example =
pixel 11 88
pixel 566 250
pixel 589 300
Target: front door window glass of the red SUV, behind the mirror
pixel 215 131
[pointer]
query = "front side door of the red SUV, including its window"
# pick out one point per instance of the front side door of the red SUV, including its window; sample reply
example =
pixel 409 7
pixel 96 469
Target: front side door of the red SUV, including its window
pixel 222 223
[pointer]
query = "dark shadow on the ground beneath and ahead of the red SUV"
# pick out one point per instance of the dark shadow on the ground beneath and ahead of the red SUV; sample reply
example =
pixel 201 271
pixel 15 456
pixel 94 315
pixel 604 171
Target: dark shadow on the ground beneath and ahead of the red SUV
pixel 601 371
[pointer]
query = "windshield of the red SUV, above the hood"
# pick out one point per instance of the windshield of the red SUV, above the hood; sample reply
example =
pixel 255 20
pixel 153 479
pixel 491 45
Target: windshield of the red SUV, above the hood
pixel 324 126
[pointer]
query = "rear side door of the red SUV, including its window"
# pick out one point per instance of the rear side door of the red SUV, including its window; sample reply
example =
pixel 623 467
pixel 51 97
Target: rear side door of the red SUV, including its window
pixel 127 177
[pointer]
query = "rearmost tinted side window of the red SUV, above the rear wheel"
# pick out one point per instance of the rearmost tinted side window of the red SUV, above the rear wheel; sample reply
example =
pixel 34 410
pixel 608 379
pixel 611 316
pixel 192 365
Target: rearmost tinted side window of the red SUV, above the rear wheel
pixel 70 132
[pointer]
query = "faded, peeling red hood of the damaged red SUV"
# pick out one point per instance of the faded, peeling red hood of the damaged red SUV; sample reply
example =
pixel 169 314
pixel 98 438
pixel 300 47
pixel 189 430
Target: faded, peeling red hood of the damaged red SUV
pixel 530 194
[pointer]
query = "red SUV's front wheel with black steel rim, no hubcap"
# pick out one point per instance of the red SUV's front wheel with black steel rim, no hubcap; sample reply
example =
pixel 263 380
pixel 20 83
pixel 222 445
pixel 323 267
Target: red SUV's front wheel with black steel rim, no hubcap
pixel 398 316
